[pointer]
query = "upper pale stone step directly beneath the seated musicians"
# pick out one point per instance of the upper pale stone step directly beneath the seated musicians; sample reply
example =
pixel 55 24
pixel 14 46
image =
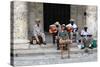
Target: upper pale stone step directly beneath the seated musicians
pixel 44 49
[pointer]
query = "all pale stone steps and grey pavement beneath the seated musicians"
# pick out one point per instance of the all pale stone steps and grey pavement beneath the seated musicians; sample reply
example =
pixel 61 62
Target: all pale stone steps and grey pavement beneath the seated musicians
pixel 48 54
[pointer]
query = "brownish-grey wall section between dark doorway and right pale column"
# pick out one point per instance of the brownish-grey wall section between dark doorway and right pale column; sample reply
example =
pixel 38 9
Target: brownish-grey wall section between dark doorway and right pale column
pixel 77 13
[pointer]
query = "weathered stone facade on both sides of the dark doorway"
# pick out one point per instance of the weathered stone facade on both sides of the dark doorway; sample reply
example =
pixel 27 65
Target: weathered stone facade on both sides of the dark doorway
pixel 23 15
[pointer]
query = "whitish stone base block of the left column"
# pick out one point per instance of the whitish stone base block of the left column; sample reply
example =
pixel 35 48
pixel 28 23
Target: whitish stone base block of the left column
pixel 21 44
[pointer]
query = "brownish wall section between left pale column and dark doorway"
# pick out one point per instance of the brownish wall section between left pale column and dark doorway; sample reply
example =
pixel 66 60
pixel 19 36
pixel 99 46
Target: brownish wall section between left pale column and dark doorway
pixel 35 11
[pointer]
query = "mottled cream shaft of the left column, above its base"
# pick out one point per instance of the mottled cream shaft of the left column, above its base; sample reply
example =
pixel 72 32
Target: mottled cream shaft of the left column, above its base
pixel 20 20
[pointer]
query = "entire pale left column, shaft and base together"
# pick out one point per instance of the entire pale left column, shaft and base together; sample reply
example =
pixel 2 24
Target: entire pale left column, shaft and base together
pixel 20 33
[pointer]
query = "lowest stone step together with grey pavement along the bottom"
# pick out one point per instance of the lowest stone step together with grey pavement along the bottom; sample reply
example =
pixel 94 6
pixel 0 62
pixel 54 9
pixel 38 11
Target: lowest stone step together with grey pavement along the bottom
pixel 54 59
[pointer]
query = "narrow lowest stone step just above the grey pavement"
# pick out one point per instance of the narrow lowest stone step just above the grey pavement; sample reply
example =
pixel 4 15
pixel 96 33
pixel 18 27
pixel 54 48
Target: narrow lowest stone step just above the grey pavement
pixel 46 56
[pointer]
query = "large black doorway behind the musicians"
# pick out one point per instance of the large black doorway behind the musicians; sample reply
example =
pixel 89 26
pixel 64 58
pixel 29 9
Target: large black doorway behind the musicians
pixel 55 12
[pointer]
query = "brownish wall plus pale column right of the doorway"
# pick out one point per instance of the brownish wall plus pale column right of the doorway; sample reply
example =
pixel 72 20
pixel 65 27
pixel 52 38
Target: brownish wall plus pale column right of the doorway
pixel 85 15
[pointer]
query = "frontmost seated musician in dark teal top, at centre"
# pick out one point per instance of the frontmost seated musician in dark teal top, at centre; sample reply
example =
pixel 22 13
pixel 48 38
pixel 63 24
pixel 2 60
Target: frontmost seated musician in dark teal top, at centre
pixel 64 41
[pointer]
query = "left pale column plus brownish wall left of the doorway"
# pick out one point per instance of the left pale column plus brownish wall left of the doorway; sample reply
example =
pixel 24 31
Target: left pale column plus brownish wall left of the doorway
pixel 24 15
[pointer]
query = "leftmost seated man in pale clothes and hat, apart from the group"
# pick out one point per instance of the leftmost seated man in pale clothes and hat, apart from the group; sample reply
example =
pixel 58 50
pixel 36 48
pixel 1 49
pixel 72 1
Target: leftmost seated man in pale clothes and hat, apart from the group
pixel 37 32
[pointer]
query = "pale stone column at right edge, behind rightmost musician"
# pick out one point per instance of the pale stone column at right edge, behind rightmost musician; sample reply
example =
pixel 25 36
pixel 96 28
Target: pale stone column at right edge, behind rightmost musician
pixel 91 20
